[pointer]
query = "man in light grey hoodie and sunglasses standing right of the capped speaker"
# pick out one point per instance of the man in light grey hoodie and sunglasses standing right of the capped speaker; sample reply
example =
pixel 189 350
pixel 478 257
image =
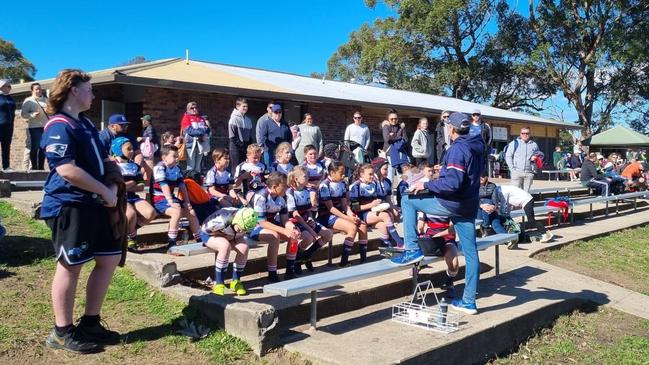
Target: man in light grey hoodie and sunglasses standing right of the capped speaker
pixel 520 156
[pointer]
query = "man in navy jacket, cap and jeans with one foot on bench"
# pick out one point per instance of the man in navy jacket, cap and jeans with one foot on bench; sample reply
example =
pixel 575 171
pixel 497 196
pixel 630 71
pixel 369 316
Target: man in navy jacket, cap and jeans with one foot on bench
pixel 456 195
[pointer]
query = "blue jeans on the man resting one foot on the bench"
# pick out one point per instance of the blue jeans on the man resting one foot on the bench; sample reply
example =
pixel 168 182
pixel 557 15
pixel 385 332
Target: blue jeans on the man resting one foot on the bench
pixel 465 228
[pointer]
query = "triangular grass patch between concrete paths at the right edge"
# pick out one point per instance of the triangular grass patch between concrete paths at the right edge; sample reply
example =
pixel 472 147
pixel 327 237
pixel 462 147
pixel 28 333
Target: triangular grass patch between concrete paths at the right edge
pixel 621 258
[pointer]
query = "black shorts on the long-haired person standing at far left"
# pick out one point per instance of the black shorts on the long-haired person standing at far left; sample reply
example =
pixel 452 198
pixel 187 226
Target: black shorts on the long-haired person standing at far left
pixel 81 232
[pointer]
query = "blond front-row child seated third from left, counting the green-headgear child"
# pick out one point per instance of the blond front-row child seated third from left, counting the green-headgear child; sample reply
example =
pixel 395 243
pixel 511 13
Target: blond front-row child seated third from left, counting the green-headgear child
pixel 299 207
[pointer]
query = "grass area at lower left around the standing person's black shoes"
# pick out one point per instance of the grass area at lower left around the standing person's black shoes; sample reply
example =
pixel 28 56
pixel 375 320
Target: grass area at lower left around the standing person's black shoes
pixel 147 319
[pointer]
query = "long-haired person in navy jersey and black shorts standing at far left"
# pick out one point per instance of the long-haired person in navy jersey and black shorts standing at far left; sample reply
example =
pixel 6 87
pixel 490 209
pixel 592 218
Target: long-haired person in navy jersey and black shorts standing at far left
pixel 72 207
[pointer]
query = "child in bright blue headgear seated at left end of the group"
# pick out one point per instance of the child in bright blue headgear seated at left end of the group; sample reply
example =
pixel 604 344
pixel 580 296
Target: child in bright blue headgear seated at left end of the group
pixel 138 211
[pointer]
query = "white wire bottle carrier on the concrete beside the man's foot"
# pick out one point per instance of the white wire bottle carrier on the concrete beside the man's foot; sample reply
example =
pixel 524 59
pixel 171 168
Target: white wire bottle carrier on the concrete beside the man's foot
pixel 424 316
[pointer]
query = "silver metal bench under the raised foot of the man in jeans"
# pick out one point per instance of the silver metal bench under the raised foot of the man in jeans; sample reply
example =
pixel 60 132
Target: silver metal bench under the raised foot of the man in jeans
pixel 313 283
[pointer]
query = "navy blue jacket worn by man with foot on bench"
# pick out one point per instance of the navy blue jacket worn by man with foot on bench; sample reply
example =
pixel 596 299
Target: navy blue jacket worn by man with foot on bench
pixel 458 185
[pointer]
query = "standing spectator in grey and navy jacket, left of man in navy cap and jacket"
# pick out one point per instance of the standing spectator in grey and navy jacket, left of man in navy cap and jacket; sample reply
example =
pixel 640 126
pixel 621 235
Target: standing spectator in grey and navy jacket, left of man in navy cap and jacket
pixel 239 132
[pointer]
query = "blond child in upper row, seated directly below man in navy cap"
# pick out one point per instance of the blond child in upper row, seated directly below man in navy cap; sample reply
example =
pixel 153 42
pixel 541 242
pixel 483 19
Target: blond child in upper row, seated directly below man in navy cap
pixel 250 174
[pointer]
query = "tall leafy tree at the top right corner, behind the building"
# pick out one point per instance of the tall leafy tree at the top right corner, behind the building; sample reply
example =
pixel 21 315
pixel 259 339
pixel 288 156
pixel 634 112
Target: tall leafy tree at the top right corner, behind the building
pixel 593 52
